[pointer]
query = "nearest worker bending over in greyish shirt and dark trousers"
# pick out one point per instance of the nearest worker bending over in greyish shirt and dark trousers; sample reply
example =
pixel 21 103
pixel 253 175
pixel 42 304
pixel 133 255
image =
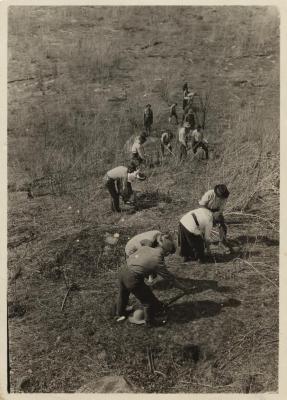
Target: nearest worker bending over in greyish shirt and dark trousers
pixel 140 265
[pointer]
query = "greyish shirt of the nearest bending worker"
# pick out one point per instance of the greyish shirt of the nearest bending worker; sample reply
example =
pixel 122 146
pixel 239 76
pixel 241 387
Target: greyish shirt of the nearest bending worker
pixel 147 261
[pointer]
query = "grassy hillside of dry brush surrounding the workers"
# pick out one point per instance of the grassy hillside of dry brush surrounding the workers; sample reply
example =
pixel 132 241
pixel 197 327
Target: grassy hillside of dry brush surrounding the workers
pixel 79 78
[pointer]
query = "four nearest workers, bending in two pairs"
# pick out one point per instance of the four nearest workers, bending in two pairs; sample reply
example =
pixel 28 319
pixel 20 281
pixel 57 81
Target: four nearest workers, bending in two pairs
pixel 145 254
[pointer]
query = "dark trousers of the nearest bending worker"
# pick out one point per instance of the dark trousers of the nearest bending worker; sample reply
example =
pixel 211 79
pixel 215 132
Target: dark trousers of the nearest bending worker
pixel 131 283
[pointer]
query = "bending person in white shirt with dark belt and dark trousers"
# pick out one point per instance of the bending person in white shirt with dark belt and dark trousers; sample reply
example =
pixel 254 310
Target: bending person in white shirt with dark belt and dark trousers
pixel 194 234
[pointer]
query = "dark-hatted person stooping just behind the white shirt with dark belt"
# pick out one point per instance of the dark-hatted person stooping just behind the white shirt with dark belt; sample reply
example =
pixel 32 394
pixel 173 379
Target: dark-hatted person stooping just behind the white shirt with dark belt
pixel 215 200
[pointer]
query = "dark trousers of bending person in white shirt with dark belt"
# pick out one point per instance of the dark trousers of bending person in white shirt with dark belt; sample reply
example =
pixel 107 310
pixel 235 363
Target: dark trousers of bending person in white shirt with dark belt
pixel 190 245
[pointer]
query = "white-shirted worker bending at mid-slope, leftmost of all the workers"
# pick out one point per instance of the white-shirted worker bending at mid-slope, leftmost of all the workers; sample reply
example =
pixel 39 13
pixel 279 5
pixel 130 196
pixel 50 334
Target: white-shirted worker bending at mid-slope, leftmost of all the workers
pixel 118 182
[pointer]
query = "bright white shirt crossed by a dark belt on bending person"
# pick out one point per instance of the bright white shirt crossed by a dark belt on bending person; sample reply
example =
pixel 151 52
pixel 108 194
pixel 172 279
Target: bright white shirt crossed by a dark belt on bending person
pixel 205 221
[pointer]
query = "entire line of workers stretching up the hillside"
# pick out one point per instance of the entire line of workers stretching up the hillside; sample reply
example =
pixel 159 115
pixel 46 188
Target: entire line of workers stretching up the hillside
pixel 145 253
